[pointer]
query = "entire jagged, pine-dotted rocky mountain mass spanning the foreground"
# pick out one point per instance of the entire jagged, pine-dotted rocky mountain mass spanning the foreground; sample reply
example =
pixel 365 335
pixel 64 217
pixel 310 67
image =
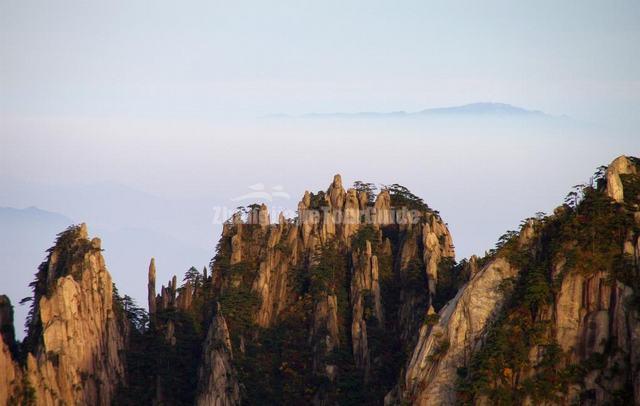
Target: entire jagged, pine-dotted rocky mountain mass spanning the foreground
pixel 356 301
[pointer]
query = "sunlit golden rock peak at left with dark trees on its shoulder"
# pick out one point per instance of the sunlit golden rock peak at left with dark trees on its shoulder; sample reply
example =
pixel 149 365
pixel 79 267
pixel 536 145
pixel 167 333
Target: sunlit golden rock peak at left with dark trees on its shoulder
pixel 77 336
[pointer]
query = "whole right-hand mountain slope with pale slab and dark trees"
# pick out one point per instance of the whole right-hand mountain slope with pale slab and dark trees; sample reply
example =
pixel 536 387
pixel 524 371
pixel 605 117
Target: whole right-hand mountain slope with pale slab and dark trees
pixel 551 318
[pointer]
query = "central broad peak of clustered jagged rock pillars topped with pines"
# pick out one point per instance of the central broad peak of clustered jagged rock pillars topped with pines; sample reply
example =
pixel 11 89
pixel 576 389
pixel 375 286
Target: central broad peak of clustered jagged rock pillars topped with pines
pixel 336 260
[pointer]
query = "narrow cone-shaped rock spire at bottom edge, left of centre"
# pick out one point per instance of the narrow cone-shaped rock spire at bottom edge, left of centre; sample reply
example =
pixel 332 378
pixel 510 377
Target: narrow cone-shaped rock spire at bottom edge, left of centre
pixel 217 376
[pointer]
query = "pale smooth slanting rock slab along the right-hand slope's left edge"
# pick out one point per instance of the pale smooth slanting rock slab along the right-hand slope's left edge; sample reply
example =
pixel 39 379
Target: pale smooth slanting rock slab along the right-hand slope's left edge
pixel 442 348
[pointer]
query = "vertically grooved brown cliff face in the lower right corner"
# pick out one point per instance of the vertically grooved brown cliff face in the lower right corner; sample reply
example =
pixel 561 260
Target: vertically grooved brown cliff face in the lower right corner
pixel 592 317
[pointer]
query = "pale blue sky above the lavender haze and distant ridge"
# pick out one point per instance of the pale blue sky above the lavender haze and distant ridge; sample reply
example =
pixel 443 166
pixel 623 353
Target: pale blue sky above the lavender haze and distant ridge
pixel 246 58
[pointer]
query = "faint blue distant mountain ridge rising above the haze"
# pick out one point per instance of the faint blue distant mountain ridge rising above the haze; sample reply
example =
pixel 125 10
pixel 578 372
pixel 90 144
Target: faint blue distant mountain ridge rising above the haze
pixel 471 109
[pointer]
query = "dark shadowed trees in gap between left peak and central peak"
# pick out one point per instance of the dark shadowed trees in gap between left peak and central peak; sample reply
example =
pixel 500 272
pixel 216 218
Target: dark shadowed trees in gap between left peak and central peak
pixel 152 361
